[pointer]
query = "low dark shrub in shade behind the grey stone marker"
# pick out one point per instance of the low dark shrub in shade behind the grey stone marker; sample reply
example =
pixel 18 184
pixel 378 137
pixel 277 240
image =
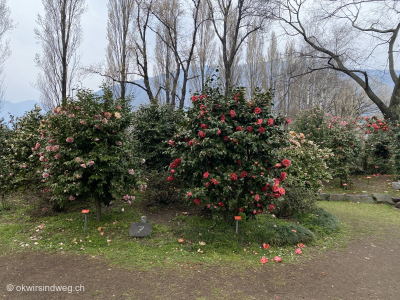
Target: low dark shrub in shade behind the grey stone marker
pixel 159 191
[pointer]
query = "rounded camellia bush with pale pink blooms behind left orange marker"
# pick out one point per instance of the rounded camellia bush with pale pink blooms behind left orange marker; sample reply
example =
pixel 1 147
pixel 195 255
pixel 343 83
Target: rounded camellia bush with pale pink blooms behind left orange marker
pixel 84 151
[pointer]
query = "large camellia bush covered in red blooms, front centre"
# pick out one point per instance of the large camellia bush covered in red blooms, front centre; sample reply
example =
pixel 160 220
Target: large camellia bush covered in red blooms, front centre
pixel 228 154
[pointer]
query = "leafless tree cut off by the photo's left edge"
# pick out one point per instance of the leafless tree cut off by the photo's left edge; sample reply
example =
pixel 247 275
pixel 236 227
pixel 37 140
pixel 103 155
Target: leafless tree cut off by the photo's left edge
pixel 6 24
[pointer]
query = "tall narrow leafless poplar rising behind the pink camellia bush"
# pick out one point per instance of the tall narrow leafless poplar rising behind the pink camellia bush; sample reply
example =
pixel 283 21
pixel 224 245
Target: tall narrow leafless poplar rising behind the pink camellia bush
pixel 60 35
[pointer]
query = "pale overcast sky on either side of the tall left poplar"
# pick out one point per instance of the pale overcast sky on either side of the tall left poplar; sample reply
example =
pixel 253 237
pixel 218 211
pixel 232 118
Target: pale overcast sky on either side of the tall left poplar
pixel 20 69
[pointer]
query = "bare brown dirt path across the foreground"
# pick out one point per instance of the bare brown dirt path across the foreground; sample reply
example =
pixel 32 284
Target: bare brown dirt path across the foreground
pixel 367 269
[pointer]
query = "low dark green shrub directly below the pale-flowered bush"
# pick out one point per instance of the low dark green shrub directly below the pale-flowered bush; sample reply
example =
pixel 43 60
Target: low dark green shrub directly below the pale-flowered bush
pixel 298 200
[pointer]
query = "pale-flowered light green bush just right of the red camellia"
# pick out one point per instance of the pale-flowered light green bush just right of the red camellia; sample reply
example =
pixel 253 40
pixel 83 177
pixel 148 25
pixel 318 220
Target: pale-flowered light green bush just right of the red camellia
pixel 309 162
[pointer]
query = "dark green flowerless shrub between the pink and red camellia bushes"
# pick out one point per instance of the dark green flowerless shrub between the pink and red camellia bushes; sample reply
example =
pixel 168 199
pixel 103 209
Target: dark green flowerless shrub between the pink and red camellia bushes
pixel 153 126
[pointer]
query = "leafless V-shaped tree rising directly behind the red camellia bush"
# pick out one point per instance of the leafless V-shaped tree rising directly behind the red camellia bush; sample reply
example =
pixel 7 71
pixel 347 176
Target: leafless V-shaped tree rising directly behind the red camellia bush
pixel 233 22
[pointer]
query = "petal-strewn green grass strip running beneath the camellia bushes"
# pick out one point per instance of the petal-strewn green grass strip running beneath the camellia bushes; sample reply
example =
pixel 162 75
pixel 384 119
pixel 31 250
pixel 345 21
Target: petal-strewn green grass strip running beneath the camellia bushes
pixel 207 242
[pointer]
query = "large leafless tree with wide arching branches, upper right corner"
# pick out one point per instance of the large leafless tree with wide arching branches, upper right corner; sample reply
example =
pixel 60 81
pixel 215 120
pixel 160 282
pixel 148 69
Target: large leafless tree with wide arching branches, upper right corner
pixel 349 36
